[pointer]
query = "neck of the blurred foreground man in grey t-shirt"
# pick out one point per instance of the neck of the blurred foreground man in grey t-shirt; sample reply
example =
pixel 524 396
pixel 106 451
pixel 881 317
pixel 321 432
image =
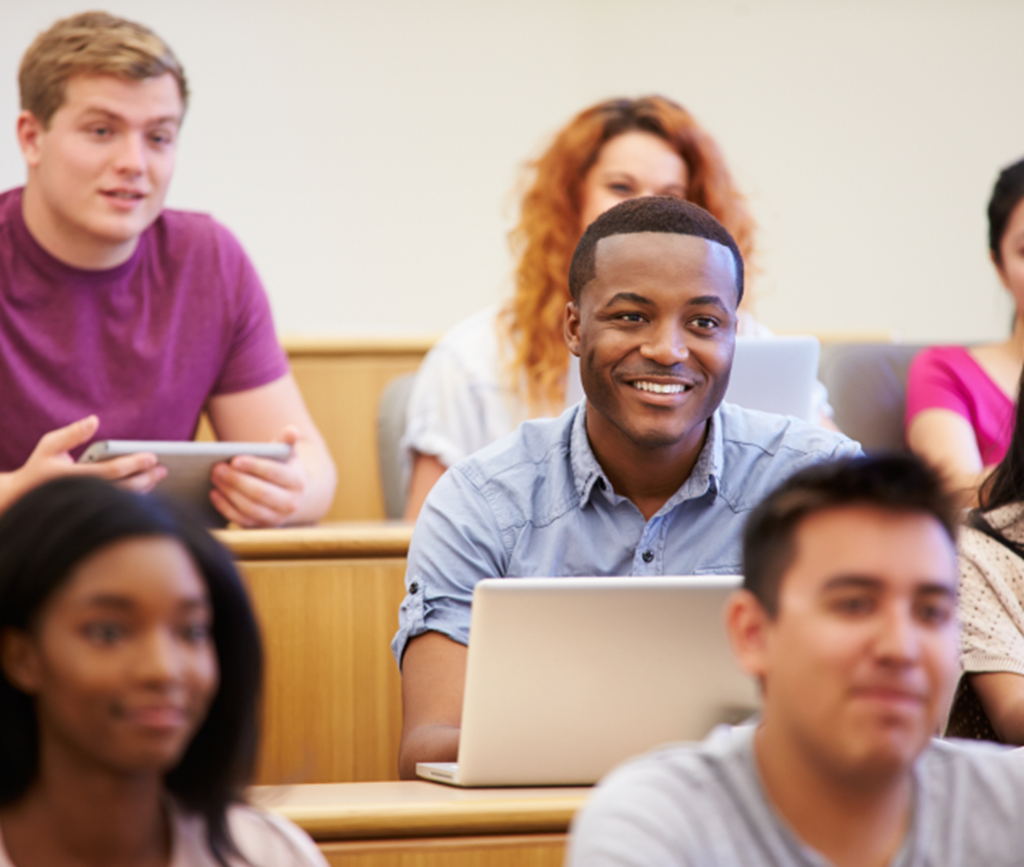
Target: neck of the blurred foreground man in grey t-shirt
pixel 849 822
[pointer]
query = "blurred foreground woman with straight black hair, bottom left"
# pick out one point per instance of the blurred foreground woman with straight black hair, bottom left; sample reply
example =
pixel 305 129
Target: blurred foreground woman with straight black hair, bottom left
pixel 131 670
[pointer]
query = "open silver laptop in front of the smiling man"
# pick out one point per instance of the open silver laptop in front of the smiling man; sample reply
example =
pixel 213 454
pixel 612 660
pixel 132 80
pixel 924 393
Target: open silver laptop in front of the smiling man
pixel 568 677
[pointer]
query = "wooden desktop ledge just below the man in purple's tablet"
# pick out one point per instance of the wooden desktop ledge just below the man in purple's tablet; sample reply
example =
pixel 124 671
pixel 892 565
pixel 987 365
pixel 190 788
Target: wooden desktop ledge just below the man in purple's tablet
pixel 336 540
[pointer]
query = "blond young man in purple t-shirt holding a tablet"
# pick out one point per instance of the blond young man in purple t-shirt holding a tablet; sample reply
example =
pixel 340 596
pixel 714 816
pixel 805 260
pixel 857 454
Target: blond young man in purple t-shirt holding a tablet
pixel 120 320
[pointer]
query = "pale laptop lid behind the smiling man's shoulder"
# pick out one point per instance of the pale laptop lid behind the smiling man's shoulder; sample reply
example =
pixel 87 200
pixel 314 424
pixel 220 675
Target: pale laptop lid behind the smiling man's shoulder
pixel 776 375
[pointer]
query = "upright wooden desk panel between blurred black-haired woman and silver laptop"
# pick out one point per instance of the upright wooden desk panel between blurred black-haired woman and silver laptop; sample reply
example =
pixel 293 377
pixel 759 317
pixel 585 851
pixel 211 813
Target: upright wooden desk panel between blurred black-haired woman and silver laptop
pixel 332 708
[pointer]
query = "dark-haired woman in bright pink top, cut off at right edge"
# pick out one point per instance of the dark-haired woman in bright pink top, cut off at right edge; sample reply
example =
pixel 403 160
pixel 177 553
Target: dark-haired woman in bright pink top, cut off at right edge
pixel 960 403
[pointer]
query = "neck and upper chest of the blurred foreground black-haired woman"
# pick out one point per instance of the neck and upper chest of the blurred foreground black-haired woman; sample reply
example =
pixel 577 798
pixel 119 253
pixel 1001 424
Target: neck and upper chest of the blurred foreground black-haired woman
pixel 81 814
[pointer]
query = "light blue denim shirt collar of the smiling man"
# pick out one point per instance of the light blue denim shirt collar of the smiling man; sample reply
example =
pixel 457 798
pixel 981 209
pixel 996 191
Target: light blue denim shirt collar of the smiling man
pixel 587 471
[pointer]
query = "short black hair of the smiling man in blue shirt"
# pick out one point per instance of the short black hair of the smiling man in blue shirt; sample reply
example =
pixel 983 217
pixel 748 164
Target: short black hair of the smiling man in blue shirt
pixel 663 214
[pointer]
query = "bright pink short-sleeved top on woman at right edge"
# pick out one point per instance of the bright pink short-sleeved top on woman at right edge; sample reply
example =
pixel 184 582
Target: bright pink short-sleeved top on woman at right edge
pixel 950 378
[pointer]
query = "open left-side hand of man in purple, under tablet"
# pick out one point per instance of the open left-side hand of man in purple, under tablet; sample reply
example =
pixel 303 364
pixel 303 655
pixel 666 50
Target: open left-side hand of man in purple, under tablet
pixel 52 458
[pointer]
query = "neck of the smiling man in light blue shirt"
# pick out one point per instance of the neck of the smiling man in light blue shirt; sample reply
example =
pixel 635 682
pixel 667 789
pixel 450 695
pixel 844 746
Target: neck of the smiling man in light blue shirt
pixel 646 475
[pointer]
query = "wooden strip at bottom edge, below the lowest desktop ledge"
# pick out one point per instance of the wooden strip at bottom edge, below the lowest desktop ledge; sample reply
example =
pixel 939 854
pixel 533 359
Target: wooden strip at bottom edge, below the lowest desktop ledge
pixel 523 851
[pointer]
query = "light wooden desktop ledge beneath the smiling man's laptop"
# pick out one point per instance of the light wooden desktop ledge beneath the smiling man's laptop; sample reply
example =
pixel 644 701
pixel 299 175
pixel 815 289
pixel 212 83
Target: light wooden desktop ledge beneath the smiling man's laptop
pixel 388 810
